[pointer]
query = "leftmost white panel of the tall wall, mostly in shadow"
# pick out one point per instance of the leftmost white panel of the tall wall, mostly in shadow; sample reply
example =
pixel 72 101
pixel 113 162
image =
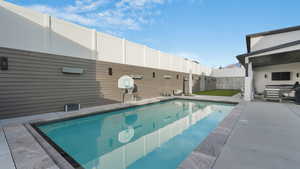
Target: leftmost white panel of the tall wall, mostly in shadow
pixel 17 27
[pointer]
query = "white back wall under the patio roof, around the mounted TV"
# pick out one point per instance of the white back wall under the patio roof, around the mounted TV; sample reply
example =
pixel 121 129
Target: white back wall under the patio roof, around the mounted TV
pixel 259 75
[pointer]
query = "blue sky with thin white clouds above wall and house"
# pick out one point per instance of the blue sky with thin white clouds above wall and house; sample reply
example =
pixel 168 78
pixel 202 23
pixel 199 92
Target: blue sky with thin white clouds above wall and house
pixel 209 31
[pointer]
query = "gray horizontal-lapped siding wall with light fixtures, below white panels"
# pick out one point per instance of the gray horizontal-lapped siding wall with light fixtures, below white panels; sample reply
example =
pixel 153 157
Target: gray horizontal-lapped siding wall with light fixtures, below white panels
pixel 34 83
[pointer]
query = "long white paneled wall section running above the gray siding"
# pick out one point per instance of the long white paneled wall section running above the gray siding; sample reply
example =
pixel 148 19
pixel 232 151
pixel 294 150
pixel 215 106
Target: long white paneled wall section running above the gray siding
pixel 26 29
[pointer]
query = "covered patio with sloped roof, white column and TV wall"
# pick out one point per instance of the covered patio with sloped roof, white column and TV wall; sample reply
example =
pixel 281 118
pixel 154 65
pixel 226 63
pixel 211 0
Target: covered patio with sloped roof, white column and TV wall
pixel 260 64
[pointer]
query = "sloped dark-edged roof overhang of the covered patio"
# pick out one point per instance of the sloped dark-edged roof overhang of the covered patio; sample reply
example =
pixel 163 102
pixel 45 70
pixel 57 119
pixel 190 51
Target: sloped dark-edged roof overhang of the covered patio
pixel 281 54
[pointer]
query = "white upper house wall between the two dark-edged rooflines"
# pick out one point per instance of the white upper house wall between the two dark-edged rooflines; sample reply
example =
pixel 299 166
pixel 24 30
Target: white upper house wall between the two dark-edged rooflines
pixel 262 42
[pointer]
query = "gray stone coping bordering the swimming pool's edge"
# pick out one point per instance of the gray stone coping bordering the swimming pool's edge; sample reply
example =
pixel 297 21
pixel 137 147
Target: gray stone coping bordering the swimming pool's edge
pixel 201 157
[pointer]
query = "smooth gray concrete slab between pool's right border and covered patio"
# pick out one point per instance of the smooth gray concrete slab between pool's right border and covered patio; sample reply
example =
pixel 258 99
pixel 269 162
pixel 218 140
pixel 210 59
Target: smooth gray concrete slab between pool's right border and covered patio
pixel 266 137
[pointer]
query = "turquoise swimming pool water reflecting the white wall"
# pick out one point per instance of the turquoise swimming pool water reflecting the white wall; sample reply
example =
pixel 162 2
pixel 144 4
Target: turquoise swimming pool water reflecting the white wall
pixel 154 136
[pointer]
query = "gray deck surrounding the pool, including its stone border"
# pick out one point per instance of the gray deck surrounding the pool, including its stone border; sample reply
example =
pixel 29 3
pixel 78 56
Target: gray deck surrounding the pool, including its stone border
pixel 263 135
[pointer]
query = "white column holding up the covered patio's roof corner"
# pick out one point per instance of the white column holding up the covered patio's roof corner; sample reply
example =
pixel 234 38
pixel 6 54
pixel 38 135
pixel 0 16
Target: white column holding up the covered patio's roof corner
pixel 249 94
